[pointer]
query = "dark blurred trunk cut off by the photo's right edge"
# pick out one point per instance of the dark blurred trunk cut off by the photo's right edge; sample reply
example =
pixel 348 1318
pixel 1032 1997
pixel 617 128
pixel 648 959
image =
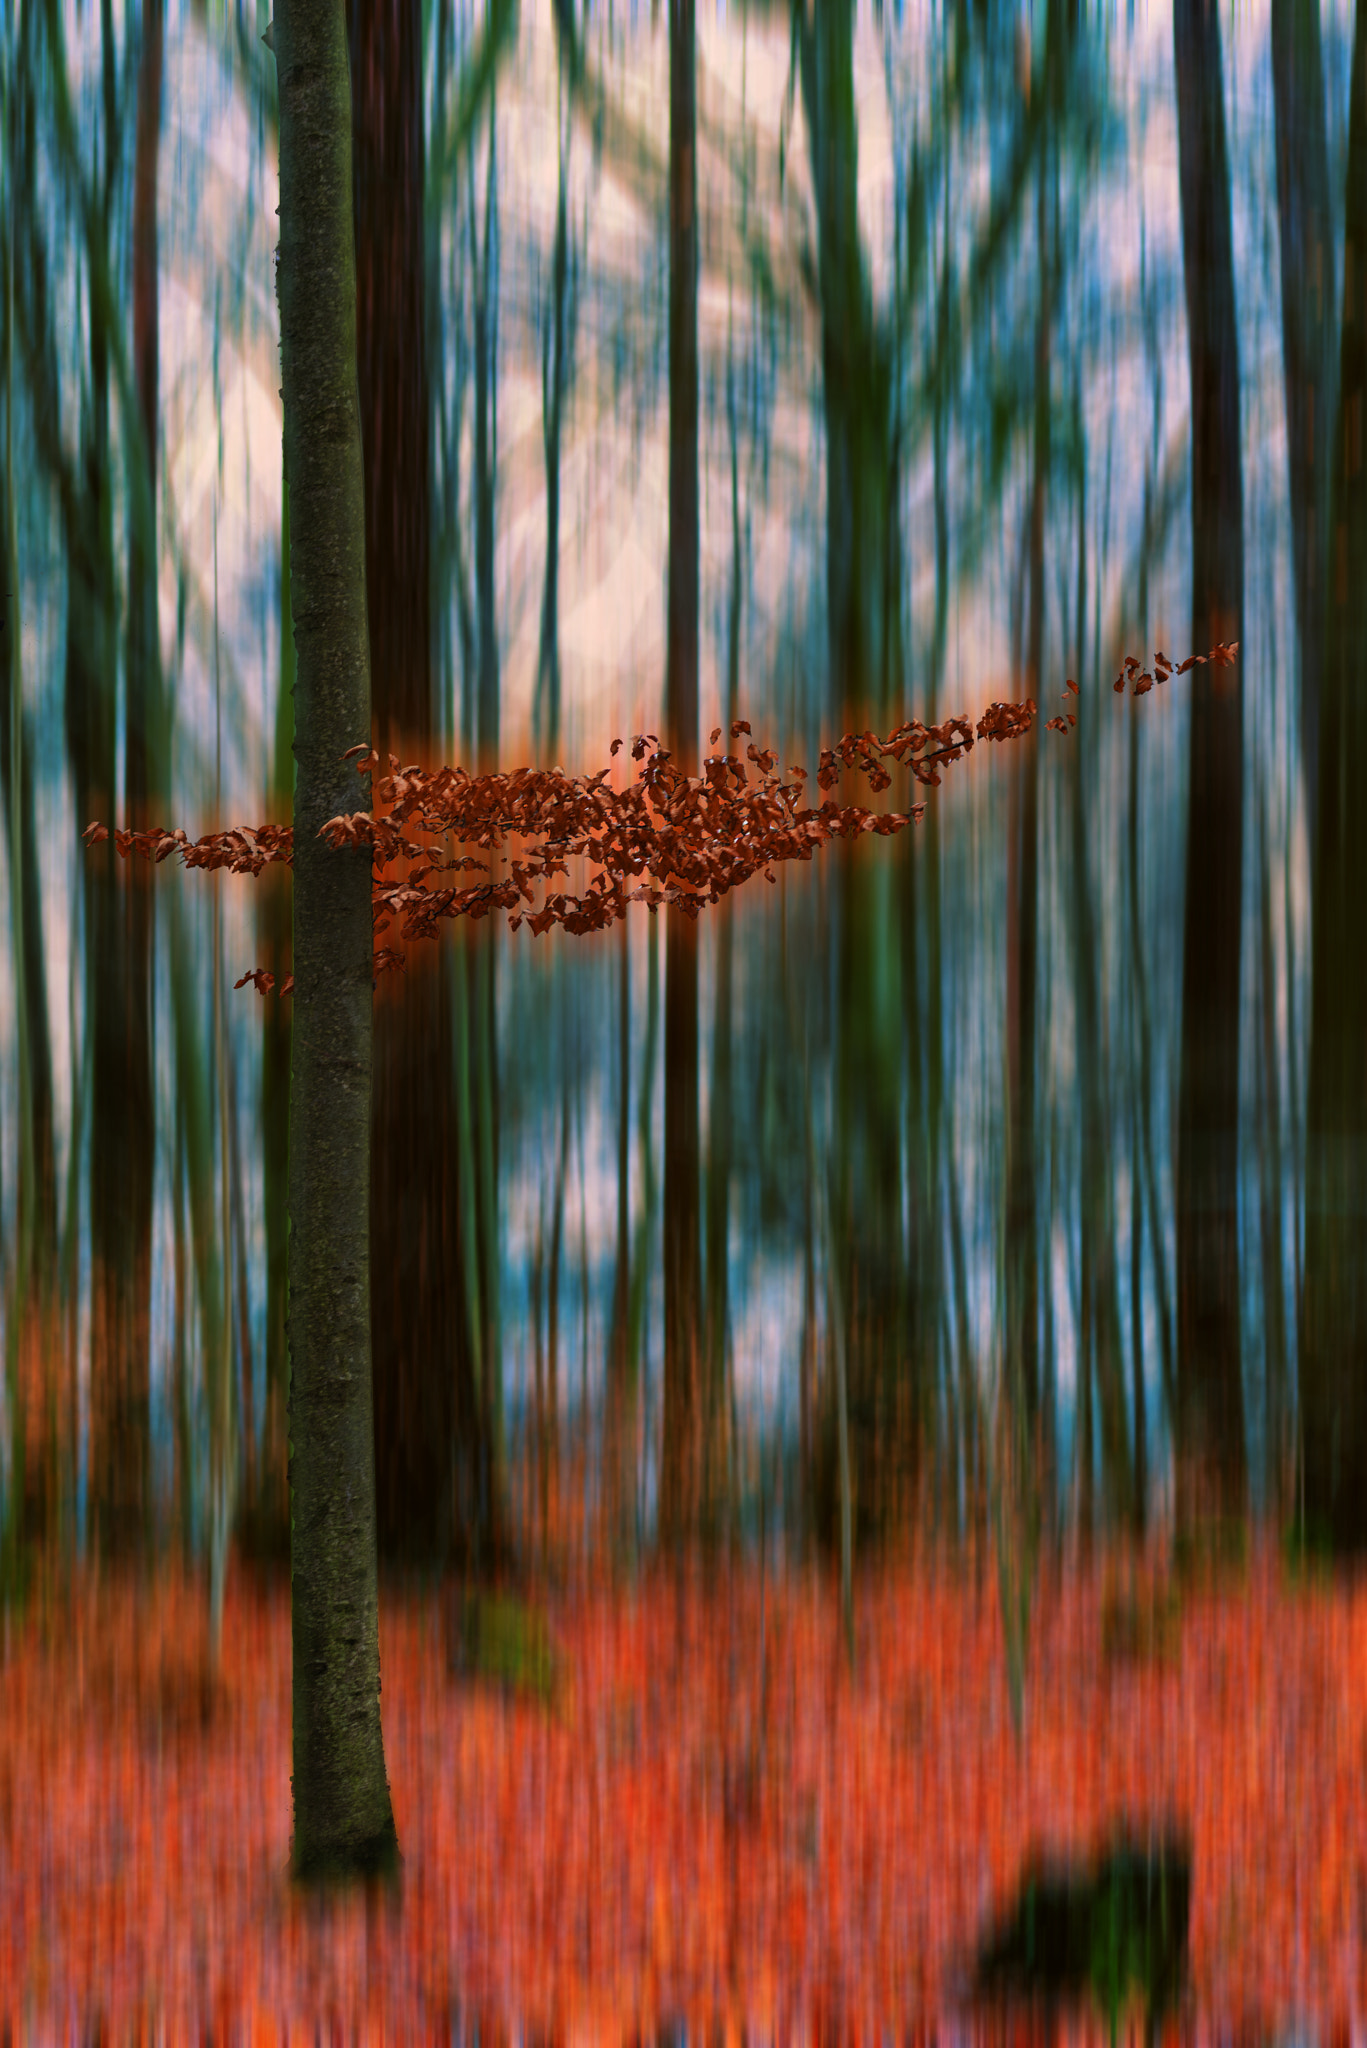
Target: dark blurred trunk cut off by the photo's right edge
pixel 1335 1293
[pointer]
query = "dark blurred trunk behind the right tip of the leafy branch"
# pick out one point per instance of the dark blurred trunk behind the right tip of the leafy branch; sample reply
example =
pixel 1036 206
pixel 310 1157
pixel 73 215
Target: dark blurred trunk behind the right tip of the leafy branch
pixel 1210 1402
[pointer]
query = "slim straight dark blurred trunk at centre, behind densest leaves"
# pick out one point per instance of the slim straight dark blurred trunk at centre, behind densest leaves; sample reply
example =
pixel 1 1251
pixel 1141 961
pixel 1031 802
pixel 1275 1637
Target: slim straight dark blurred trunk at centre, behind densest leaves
pixel 686 1451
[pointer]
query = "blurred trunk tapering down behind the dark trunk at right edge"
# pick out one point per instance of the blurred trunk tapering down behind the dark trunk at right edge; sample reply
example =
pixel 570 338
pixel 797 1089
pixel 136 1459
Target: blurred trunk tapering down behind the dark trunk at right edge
pixel 1307 331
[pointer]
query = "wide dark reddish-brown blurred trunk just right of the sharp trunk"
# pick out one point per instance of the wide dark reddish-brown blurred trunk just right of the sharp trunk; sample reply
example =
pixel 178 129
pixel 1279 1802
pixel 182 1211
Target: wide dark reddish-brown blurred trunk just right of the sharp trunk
pixel 429 1414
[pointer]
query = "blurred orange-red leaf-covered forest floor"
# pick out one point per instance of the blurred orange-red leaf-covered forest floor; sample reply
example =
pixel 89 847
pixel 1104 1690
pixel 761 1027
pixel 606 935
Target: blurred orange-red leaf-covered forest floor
pixel 710 1822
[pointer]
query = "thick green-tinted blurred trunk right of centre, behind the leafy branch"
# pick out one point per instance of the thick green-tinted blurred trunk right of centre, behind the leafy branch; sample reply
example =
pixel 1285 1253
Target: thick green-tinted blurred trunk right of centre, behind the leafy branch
pixel 884 1383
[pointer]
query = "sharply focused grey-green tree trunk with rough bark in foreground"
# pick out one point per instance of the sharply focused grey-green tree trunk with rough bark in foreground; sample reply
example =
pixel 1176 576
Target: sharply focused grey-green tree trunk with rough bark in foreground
pixel 343 1816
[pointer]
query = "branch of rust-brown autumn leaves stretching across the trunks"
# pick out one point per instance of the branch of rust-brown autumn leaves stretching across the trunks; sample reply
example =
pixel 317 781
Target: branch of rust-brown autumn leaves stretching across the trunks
pixel 667 839
